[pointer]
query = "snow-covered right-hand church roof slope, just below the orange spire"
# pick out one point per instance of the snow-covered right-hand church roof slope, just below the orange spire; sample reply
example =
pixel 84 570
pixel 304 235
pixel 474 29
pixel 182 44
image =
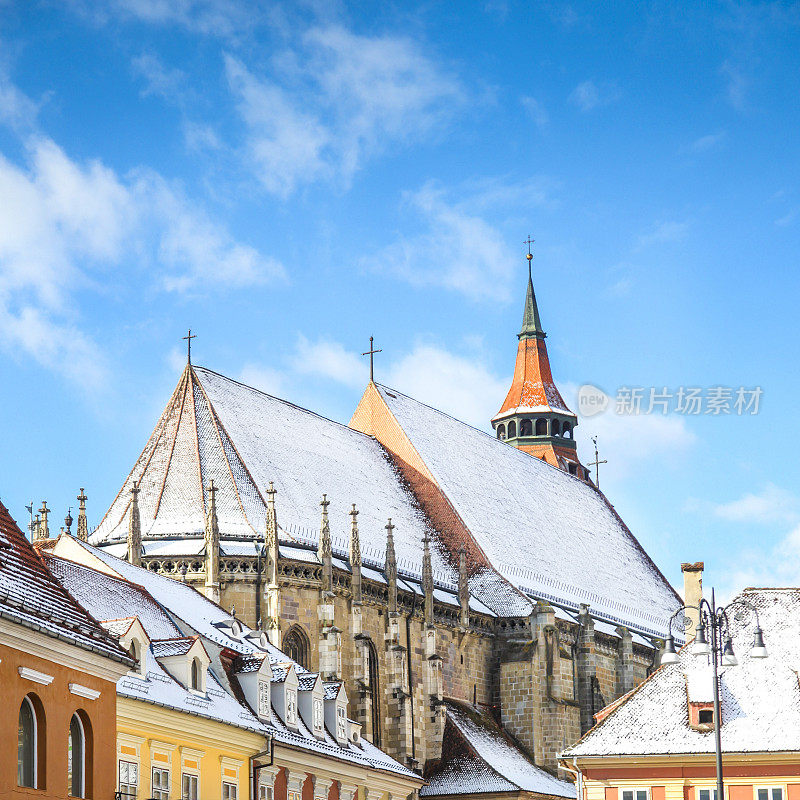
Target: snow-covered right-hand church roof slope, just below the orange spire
pixel 549 533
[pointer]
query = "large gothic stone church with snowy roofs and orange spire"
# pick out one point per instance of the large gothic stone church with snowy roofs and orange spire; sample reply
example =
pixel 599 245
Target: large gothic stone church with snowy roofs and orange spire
pixel 478 595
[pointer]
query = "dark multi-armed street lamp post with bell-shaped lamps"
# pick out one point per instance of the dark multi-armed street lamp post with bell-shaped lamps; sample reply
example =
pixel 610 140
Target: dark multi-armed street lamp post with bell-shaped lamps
pixel 714 620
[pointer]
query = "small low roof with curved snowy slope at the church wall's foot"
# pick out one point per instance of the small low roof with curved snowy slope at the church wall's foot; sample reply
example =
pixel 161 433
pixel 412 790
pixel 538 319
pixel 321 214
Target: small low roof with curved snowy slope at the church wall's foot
pixel 485 760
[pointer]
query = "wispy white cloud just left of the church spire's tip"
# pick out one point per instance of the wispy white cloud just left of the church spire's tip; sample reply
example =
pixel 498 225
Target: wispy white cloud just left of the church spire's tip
pixel 458 248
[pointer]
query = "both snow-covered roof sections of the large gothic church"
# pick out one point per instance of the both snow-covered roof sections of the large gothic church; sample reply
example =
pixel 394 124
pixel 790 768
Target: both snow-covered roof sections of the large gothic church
pixel 543 534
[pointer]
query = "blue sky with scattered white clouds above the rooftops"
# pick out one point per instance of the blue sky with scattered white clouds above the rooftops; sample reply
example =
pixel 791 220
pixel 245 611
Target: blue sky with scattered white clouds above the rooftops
pixel 289 179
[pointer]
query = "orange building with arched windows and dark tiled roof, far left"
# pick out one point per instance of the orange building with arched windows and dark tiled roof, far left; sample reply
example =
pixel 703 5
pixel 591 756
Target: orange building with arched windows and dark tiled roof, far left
pixel 58 674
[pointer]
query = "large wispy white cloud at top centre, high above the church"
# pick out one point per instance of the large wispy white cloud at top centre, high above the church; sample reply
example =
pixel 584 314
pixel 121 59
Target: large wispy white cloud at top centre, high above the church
pixel 336 100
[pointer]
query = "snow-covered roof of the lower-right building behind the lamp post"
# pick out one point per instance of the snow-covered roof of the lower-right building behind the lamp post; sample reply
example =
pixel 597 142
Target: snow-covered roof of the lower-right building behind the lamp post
pixel 760 697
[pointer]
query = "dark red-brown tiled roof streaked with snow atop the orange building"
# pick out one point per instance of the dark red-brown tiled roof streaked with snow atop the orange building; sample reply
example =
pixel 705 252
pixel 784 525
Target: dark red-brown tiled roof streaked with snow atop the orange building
pixel 31 596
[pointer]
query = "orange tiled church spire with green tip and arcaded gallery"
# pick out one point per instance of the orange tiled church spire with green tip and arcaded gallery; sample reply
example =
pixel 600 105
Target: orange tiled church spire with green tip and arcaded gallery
pixel 534 416
